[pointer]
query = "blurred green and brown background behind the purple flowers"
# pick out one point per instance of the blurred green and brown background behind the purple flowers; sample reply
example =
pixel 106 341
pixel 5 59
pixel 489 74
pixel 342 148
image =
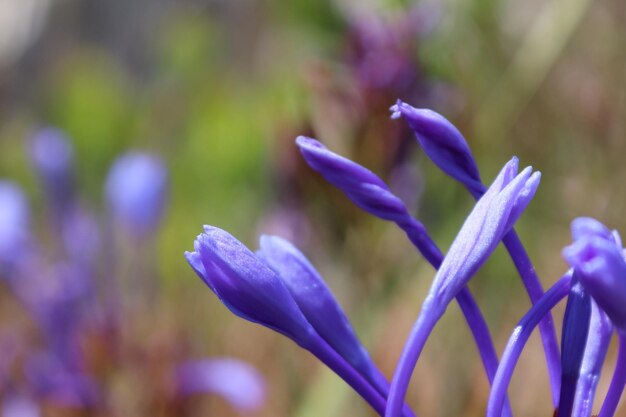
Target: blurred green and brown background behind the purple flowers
pixel 219 89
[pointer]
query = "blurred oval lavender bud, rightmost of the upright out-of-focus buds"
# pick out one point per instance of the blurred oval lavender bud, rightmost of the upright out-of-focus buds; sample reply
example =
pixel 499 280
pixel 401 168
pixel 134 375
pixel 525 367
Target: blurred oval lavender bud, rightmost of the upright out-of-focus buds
pixel 136 190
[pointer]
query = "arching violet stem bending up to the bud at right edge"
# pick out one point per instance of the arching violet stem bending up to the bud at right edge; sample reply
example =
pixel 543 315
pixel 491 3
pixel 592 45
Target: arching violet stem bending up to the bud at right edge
pixel 518 340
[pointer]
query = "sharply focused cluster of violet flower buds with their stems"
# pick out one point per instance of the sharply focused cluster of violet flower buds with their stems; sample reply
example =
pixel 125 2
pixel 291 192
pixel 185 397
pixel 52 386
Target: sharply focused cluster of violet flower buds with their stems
pixel 279 288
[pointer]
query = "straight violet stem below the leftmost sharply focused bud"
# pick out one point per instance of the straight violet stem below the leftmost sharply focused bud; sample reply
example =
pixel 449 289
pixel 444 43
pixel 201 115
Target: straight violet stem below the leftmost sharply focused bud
pixel 322 350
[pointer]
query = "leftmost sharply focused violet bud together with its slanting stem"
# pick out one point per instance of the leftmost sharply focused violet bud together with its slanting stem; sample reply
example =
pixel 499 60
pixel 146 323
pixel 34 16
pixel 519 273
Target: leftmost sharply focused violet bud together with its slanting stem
pixel 252 290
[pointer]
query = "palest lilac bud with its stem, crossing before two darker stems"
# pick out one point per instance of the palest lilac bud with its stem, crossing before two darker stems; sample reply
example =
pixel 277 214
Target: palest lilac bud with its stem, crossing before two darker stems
pixel 491 218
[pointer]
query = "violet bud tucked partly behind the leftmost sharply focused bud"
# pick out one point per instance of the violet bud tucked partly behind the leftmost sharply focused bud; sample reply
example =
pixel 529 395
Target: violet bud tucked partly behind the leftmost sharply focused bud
pixel 317 302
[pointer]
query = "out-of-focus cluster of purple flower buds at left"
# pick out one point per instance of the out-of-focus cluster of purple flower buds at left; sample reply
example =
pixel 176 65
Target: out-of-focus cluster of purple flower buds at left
pixel 72 294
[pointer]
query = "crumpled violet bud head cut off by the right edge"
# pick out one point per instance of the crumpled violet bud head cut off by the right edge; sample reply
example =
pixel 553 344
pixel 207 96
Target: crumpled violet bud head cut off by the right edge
pixel 600 266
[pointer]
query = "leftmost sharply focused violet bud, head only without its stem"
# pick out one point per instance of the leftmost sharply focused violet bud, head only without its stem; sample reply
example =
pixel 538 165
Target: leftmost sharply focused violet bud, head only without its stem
pixel 246 285
